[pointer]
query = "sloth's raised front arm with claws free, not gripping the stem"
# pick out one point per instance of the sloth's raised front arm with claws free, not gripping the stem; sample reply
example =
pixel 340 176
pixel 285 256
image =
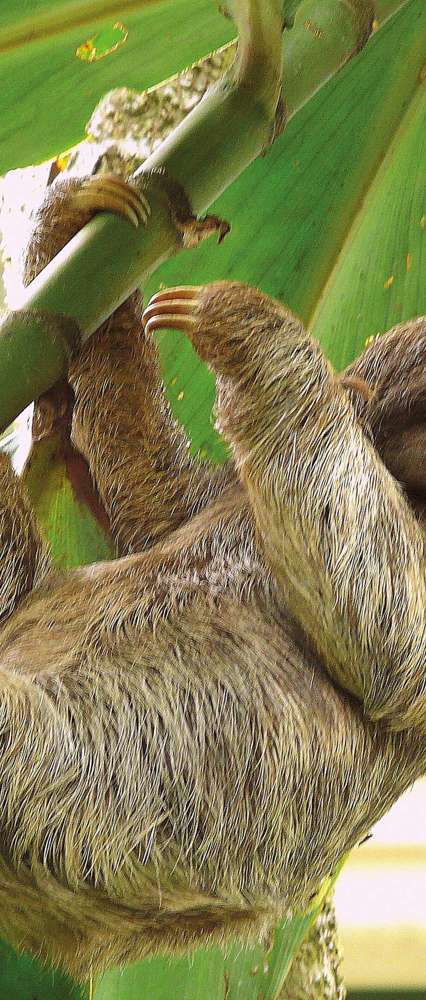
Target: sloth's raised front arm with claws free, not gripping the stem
pixel 336 530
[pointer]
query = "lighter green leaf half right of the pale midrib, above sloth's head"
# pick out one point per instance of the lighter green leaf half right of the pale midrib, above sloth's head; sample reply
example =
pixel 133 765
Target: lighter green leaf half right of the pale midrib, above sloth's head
pixel 378 278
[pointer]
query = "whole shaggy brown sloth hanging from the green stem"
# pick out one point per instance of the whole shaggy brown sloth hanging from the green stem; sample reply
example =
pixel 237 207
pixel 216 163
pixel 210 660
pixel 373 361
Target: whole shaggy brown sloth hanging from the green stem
pixel 194 734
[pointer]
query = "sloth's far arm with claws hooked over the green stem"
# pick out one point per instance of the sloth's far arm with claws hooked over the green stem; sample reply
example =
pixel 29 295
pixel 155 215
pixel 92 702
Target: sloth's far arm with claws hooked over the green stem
pixel 137 455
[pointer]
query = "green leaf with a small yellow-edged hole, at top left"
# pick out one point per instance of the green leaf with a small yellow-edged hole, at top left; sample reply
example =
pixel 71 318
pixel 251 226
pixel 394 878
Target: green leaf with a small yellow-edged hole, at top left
pixel 47 93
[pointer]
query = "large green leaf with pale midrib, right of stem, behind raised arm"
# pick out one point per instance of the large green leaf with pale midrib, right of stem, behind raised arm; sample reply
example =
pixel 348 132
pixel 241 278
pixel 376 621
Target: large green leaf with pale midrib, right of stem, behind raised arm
pixel 326 218
